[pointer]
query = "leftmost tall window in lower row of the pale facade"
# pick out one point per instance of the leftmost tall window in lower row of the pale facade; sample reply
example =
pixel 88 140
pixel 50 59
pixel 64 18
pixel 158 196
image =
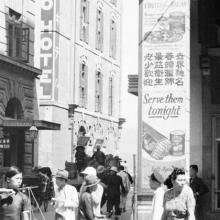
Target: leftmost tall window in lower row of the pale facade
pixel 83 84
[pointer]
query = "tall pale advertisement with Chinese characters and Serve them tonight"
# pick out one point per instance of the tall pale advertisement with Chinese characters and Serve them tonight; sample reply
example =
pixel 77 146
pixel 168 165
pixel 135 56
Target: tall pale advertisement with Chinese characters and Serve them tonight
pixel 164 81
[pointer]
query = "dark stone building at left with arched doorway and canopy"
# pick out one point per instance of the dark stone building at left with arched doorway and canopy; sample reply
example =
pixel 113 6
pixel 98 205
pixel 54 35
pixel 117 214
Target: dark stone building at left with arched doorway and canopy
pixel 19 108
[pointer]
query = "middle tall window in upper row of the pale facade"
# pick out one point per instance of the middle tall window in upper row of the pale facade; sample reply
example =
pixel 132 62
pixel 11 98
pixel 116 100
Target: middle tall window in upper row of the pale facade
pixel 99 30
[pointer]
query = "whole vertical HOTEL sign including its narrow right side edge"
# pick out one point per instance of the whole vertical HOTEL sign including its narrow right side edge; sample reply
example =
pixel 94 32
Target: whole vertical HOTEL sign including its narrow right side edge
pixel 49 49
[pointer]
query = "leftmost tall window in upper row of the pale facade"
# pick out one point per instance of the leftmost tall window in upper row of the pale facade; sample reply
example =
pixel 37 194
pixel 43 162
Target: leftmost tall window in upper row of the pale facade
pixel 84 21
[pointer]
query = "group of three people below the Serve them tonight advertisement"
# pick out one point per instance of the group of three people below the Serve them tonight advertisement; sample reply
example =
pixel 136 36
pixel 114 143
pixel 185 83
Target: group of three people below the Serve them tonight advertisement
pixel 174 198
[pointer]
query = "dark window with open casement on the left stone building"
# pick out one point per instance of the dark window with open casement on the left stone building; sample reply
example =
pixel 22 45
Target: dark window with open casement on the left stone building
pixel 18 37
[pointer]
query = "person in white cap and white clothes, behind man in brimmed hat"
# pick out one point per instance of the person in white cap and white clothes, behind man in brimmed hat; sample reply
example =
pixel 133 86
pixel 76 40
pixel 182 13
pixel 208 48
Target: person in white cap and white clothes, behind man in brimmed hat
pixel 96 193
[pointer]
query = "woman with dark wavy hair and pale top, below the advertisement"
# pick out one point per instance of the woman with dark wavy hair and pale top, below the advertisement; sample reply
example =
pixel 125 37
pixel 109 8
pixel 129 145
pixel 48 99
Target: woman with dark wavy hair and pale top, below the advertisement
pixel 179 201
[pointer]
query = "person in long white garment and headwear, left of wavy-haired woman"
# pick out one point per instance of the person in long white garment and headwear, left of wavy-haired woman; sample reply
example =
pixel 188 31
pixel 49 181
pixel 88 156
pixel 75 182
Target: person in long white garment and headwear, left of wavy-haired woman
pixel 156 184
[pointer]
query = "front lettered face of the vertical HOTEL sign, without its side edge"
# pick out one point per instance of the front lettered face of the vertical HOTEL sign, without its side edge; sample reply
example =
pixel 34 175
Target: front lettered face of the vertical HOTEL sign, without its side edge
pixel 46 50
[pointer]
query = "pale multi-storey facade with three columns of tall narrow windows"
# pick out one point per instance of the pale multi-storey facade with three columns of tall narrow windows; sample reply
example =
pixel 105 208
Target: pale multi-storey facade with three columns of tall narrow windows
pixel 97 70
